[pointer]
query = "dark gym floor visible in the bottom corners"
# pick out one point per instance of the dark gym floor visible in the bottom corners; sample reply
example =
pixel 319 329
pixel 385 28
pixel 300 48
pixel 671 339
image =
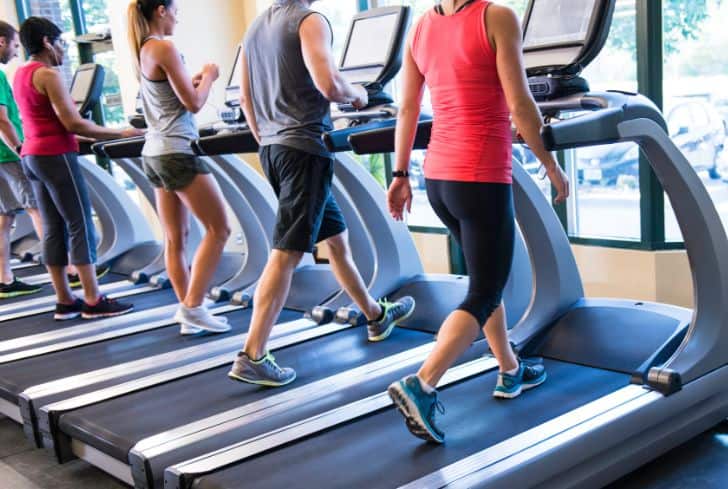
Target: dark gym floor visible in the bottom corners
pixel 699 463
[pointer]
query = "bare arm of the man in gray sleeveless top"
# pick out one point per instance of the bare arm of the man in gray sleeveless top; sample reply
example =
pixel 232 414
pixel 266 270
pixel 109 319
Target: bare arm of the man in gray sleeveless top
pixel 316 47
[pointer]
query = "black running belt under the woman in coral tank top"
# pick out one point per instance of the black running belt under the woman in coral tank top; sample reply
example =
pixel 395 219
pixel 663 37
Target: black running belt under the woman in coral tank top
pixel 378 451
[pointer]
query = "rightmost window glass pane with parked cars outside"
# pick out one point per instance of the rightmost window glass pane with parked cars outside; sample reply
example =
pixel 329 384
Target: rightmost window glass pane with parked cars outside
pixel 696 103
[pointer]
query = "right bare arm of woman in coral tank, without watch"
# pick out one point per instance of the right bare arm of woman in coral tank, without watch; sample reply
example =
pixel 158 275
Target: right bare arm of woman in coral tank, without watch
pixel 505 31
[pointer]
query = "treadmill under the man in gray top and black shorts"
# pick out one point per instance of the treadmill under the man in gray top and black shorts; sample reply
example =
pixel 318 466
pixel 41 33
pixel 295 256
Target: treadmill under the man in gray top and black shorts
pixel 336 365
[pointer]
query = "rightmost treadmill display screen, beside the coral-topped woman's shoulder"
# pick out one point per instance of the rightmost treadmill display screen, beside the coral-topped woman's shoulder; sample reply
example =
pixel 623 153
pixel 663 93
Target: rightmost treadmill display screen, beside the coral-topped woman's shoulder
pixel 558 22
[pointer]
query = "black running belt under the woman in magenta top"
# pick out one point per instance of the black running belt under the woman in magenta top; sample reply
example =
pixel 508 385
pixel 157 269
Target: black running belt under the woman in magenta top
pixel 44 323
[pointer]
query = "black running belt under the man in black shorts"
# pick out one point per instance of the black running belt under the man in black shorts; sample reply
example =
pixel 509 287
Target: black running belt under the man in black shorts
pixel 146 413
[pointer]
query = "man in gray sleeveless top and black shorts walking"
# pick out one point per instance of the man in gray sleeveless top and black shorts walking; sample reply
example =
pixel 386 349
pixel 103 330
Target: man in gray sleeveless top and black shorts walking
pixel 289 79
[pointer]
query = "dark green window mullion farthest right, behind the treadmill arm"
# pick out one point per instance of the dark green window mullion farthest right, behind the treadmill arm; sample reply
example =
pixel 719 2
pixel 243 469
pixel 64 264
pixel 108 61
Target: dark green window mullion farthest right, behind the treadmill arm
pixel 650 78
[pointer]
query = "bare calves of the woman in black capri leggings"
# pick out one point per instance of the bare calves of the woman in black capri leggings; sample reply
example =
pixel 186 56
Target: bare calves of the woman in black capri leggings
pixel 456 335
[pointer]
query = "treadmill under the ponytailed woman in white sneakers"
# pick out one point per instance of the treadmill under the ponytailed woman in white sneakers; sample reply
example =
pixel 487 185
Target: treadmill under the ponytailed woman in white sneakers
pixel 77 356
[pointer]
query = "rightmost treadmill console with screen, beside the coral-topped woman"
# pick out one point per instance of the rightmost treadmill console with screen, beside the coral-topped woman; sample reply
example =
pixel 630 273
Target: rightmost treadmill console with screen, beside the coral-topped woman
pixel 561 37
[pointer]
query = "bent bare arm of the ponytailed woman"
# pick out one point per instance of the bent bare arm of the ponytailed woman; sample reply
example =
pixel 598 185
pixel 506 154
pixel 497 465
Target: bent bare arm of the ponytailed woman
pixel 192 94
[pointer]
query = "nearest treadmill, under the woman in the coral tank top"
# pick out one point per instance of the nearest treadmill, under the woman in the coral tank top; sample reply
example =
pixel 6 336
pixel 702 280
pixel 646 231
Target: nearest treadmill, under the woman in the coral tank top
pixel 628 380
